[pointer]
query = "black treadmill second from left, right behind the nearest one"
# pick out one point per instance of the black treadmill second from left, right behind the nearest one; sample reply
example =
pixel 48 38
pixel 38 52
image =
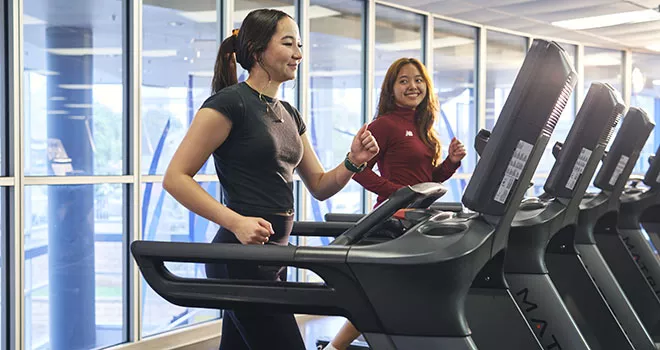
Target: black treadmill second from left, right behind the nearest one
pixel 539 219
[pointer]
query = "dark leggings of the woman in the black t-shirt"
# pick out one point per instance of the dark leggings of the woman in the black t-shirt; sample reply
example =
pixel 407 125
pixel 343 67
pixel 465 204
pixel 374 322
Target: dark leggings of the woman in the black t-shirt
pixel 249 329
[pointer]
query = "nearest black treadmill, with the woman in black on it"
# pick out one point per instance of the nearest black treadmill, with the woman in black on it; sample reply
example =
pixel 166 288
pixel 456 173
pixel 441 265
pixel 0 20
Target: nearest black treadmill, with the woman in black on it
pixel 428 270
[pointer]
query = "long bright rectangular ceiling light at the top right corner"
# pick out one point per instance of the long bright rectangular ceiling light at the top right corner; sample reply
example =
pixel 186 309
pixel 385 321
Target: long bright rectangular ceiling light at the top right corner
pixel 609 20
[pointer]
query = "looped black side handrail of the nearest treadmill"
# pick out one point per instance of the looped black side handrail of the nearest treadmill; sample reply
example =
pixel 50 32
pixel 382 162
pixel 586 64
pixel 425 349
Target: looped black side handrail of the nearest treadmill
pixel 298 296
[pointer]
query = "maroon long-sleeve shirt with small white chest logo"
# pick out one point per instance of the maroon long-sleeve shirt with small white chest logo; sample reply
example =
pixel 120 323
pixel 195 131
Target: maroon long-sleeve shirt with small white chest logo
pixel 403 159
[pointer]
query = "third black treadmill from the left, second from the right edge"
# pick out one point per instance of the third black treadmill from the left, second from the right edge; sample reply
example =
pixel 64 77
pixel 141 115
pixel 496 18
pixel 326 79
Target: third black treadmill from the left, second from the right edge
pixel 582 277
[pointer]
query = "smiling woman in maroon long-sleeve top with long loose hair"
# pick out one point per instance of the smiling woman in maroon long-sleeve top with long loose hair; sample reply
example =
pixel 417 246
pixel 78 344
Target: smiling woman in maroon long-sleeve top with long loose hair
pixel 409 146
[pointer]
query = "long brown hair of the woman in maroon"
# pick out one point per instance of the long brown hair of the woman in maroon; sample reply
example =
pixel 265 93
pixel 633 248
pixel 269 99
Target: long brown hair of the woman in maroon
pixel 426 111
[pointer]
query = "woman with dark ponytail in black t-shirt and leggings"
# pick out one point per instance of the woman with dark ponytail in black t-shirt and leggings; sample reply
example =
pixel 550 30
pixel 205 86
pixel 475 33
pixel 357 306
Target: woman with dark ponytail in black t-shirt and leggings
pixel 256 141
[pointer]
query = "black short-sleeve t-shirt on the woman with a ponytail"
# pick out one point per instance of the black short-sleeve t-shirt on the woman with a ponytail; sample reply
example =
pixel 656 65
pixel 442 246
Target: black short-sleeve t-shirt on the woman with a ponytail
pixel 255 164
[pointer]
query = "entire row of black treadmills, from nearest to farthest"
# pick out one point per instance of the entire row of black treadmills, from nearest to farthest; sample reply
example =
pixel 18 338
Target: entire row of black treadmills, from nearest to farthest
pixel 567 270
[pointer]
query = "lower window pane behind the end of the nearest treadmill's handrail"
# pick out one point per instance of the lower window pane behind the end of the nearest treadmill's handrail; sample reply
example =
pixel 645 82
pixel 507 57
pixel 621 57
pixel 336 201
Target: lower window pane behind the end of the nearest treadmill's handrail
pixel 164 219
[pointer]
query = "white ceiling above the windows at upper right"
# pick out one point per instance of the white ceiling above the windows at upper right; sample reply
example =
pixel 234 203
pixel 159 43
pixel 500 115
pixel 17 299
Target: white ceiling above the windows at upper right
pixel 535 17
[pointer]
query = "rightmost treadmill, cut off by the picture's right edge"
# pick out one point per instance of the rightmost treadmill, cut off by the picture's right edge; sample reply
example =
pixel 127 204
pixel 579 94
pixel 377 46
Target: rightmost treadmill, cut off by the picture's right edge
pixel 626 243
